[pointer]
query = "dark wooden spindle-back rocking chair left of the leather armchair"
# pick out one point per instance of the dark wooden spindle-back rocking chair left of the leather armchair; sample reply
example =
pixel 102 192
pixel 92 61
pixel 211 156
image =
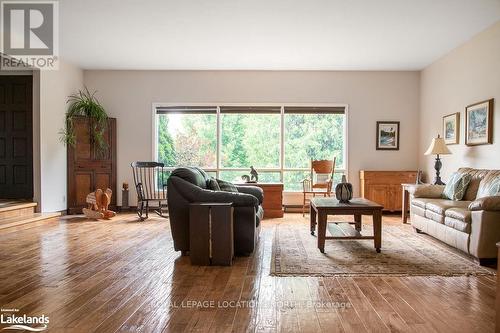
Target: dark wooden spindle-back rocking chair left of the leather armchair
pixel 150 183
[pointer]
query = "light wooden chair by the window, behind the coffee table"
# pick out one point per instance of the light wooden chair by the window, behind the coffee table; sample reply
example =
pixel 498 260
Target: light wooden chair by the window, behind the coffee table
pixel 320 181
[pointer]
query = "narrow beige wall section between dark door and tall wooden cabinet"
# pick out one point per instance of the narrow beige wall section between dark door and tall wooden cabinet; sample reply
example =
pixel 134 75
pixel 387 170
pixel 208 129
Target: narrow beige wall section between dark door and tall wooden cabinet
pixel 55 87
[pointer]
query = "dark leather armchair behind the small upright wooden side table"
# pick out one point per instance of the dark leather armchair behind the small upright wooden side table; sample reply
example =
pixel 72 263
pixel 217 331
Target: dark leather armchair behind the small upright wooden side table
pixel 190 184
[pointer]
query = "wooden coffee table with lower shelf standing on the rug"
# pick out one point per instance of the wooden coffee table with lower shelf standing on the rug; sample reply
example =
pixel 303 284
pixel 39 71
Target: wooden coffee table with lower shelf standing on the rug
pixel 322 207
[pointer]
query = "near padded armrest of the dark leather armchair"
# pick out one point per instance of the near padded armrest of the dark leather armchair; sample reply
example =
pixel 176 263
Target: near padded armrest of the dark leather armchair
pixel 193 193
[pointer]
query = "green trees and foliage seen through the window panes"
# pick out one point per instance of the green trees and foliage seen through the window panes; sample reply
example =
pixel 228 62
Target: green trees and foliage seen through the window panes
pixel 251 139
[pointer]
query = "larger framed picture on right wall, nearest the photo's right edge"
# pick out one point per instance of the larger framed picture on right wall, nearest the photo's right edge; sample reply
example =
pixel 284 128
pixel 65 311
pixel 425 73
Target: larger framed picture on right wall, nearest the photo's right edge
pixel 479 123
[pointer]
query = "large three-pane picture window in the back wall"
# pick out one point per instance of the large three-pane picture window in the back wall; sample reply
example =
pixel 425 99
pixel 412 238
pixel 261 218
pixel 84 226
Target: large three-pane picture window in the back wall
pixel 278 141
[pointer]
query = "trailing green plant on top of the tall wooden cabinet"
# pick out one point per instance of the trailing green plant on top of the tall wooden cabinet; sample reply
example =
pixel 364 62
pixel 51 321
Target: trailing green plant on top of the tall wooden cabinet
pixel 86 104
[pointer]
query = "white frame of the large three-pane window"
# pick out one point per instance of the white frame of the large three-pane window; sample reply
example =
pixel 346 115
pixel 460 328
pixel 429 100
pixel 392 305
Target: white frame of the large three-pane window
pixel 281 169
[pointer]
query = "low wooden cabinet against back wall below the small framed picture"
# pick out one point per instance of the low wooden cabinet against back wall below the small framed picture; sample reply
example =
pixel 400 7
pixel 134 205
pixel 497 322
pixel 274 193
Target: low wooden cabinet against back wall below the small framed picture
pixel 384 187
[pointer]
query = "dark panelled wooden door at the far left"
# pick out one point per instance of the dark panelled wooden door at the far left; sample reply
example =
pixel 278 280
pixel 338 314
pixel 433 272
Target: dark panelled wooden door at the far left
pixel 16 137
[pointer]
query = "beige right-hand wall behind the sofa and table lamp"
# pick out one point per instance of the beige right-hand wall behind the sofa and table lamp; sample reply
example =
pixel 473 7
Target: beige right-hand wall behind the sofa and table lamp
pixel 468 74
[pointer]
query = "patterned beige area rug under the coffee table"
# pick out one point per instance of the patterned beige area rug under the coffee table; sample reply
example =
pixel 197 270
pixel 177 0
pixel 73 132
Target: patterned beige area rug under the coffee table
pixel 404 253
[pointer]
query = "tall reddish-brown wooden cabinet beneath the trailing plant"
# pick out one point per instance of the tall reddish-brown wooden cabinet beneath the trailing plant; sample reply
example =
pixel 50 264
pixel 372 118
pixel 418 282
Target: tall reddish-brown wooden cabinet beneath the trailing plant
pixel 89 169
